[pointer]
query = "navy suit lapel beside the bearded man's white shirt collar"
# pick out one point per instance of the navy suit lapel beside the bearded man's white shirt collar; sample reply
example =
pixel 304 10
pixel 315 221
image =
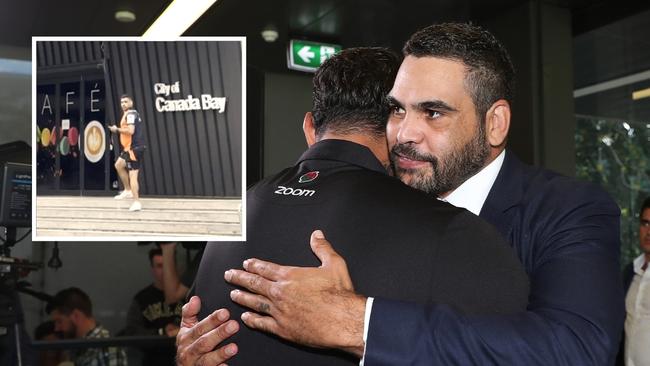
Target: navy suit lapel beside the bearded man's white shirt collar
pixel 506 193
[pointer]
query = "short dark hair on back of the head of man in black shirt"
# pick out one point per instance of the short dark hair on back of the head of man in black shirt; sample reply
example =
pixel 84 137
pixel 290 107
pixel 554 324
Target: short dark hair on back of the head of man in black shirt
pixel 350 91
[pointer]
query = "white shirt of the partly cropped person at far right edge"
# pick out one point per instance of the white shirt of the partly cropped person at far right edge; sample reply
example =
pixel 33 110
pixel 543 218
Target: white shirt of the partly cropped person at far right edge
pixel 637 321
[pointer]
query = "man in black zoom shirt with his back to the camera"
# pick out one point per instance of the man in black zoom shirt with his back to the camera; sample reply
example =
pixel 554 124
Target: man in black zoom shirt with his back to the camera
pixel 446 255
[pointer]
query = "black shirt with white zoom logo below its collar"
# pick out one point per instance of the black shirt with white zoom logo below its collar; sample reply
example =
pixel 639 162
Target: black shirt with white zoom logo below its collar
pixel 398 243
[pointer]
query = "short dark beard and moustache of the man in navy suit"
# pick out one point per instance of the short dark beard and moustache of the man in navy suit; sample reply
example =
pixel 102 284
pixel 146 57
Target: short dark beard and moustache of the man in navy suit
pixel 446 173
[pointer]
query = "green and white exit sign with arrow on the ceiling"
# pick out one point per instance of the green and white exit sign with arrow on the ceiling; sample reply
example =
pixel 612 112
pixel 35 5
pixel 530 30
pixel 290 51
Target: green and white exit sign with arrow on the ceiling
pixel 308 56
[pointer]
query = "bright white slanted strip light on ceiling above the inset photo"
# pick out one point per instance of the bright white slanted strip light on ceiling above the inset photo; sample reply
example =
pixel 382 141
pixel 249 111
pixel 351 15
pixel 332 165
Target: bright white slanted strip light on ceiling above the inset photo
pixel 177 18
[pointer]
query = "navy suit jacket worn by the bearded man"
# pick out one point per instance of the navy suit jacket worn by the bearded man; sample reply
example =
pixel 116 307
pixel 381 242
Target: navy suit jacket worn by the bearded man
pixel 566 233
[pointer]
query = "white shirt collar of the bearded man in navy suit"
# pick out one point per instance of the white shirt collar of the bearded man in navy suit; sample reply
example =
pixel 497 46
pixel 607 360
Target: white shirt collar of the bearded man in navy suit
pixel 472 194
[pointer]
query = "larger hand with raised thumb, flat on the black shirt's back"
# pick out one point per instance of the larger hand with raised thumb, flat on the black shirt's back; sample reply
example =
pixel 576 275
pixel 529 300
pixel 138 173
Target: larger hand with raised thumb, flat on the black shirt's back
pixel 312 306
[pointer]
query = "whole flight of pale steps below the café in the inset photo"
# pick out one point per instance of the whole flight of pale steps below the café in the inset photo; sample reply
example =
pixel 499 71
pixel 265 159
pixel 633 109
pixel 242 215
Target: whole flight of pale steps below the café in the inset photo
pixel 61 217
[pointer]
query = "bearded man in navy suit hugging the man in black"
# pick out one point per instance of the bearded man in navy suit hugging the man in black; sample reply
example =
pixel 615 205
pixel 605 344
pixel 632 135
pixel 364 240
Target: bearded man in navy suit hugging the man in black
pixel 447 133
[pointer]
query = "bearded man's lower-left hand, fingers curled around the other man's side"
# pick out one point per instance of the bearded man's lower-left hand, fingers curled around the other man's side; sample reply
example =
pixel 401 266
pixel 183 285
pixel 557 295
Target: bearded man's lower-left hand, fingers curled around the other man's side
pixel 196 341
